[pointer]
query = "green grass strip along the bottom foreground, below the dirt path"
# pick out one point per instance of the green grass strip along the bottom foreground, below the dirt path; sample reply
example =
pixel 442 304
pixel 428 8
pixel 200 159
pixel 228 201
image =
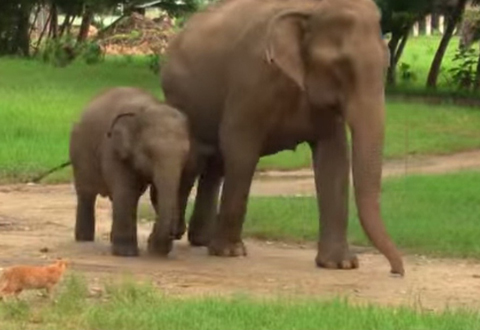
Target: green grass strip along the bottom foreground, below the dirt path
pixel 131 305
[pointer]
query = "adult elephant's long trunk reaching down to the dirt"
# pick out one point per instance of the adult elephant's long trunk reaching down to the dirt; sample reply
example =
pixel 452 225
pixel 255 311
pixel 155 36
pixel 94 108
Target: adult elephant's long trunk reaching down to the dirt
pixel 366 122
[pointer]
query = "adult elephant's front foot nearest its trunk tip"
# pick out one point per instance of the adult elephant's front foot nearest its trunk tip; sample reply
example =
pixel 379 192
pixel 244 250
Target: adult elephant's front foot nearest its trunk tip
pixel 335 256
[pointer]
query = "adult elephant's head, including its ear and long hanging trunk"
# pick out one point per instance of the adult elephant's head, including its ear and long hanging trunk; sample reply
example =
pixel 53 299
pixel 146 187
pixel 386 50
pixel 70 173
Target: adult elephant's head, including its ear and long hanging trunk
pixel 336 56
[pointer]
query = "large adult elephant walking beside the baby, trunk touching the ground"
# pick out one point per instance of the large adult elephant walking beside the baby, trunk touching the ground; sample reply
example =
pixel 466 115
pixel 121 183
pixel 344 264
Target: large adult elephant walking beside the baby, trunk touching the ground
pixel 258 77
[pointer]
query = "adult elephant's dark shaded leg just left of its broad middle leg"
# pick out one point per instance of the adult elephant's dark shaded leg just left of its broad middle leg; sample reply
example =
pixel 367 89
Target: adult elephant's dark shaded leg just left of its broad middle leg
pixel 204 213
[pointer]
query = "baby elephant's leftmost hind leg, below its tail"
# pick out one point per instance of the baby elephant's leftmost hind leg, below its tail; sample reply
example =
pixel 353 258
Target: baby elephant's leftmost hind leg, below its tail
pixel 85 217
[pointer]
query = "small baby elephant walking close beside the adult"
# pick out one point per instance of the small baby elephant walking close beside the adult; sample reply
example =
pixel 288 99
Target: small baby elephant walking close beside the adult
pixel 125 141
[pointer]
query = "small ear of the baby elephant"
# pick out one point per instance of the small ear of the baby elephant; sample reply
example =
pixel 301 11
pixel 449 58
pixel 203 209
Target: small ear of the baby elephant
pixel 121 134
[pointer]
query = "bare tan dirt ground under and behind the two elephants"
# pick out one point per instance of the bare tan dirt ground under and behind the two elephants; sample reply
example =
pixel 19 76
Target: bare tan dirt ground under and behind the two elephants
pixel 36 218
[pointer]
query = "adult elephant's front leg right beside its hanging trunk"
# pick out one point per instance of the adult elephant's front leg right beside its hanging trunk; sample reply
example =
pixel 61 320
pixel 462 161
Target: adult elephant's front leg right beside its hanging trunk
pixel 331 167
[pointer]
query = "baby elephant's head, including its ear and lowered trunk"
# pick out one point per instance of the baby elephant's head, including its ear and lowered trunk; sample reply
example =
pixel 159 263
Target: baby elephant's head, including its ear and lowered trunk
pixel 155 143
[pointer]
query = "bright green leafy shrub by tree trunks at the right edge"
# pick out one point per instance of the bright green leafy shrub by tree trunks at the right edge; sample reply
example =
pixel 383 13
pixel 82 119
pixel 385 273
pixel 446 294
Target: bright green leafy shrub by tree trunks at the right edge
pixel 463 72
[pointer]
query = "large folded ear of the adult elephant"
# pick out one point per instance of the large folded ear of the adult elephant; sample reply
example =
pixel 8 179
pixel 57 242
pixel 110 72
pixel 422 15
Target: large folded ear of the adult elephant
pixel 284 44
